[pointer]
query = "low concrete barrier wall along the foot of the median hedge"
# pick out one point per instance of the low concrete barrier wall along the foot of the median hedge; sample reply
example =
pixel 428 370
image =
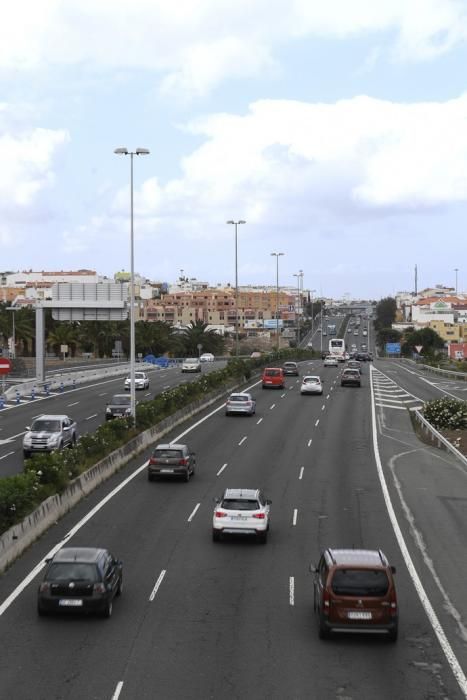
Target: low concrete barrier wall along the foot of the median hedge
pixel 20 536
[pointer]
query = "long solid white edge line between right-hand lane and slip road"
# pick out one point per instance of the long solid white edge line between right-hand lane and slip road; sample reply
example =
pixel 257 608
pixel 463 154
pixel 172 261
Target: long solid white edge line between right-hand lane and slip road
pixel 432 617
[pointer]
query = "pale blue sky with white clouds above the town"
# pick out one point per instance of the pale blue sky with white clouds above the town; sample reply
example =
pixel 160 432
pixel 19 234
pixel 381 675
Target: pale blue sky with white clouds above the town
pixel 337 130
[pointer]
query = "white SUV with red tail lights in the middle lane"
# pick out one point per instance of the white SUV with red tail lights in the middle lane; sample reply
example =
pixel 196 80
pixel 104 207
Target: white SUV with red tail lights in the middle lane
pixel 241 512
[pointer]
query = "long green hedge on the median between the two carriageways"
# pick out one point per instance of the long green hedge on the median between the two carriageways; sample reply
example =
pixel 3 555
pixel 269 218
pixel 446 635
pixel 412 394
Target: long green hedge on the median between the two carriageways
pixel 49 474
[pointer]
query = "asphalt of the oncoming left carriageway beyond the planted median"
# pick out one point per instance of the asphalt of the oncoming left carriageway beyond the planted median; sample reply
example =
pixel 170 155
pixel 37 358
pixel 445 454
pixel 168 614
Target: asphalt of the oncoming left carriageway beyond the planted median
pixel 85 404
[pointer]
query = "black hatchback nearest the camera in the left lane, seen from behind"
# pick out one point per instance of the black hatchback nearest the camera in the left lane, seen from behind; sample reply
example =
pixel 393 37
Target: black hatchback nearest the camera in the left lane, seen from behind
pixel 80 579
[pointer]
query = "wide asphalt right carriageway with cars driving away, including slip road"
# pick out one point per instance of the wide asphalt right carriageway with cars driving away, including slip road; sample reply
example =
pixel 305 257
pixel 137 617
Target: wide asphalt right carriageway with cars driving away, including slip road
pixel 199 619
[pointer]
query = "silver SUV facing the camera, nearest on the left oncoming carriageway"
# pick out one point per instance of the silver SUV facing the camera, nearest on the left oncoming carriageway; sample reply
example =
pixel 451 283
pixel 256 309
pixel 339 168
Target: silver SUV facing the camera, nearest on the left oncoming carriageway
pixel 48 433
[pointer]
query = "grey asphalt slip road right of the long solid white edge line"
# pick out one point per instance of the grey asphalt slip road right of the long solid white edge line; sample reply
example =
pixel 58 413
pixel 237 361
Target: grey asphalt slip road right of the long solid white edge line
pixel 429 489
